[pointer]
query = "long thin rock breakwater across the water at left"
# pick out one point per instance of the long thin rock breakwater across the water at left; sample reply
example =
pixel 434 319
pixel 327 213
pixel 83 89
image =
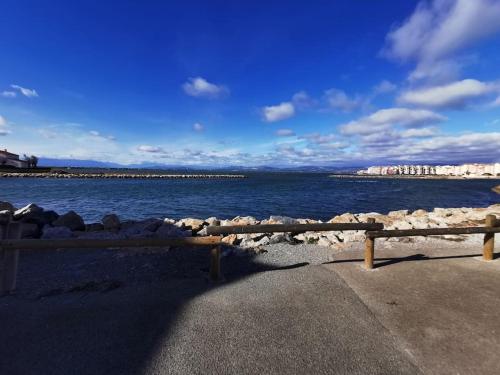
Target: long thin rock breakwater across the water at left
pixel 118 175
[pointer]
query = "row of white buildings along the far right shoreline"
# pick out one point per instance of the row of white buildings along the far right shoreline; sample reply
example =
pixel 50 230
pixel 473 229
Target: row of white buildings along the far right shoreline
pixel 465 170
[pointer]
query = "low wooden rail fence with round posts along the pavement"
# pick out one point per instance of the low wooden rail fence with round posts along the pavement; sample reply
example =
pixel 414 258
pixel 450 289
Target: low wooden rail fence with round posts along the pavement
pixel 11 244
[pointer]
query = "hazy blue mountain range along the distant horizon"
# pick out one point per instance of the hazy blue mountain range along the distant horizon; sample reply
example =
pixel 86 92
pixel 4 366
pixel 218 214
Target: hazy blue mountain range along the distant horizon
pixel 79 163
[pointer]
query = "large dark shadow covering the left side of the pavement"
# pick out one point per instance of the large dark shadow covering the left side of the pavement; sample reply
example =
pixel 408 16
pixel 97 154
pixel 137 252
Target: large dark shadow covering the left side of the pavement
pixel 103 312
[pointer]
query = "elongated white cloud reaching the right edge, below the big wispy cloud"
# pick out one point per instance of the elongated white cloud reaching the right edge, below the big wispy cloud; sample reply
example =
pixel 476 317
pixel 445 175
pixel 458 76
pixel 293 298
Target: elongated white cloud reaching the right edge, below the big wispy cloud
pixel 452 95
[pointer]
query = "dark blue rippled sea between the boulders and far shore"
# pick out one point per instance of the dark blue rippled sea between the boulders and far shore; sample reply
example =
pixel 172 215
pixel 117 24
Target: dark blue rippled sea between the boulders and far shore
pixel 300 195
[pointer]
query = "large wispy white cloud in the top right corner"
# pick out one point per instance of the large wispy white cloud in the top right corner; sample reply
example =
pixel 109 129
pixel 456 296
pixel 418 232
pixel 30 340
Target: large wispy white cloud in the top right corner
pixel 438 30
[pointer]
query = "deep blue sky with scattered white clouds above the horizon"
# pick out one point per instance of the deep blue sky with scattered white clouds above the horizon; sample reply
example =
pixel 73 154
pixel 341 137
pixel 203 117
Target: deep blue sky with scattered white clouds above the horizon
pixel 252 83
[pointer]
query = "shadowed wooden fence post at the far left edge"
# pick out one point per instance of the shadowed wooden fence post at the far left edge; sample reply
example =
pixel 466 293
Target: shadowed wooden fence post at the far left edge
pixel 9 258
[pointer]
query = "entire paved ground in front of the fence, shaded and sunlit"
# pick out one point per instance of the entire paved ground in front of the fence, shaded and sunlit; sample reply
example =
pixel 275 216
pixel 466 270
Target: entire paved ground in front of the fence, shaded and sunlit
pixel 99 312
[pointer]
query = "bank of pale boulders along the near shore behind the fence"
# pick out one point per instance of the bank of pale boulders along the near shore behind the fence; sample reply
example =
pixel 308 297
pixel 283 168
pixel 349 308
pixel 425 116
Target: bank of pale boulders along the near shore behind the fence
pixel 46 224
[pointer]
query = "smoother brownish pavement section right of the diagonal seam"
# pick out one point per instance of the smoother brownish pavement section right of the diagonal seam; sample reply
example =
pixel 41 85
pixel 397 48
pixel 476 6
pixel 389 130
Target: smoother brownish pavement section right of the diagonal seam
pixel 442 303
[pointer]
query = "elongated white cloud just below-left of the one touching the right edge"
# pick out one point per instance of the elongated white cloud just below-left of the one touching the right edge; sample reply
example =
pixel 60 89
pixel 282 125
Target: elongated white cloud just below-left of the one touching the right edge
pixel 384 119
